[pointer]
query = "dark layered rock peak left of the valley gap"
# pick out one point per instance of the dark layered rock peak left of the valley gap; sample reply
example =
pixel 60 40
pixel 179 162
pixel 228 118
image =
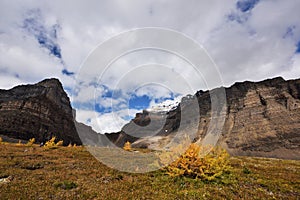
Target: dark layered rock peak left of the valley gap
pixel 37 111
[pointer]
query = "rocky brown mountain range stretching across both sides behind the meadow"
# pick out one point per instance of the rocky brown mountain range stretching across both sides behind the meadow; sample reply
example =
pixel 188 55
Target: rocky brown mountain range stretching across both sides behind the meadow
pixel 260 118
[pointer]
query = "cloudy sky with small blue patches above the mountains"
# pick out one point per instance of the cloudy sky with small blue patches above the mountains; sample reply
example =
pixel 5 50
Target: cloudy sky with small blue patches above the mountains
pixel 246 39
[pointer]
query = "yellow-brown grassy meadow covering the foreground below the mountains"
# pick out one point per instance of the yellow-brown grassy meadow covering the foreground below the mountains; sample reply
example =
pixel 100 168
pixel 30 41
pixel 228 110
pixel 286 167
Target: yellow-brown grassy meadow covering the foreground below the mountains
pixel 73 173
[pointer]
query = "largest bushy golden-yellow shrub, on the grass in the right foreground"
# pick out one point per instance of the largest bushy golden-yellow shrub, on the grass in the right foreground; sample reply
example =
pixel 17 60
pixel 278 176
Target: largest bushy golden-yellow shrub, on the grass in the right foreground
pixel 207 167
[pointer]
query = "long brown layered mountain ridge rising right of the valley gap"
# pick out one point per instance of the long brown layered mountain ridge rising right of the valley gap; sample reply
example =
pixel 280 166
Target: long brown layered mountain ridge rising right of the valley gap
pixel 261 119
